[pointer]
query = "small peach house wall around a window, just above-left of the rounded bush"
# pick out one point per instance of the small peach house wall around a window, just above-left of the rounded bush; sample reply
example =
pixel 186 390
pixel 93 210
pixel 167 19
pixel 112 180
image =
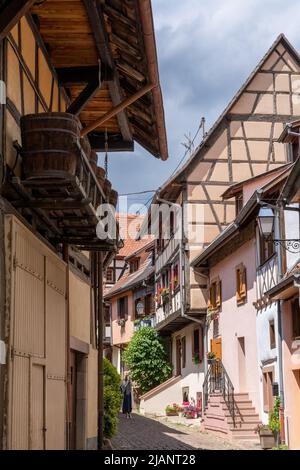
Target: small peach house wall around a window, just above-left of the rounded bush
pixel 122 335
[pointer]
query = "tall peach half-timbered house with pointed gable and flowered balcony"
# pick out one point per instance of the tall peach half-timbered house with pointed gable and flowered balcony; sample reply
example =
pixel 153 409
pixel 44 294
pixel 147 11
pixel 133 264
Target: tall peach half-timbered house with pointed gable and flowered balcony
pixel 242 144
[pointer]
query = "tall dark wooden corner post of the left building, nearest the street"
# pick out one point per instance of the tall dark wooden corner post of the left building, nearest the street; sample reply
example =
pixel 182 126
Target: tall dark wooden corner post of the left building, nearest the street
pixel 100 353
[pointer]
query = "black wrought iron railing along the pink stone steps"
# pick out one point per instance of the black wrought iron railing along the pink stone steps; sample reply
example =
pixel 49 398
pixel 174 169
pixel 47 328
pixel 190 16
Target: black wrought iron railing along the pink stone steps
pixel 217 381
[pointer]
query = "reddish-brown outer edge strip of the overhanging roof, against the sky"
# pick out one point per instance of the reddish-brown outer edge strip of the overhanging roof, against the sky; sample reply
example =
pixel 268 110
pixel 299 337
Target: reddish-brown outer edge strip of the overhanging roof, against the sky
pixel 146 17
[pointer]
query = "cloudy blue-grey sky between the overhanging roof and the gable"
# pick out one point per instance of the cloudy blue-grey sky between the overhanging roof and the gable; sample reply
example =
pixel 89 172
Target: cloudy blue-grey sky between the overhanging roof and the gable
pixel 206 50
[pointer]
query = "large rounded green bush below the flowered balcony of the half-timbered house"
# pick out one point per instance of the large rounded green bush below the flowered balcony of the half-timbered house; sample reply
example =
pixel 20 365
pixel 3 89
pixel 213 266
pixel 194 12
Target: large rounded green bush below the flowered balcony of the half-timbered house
pixel 146 359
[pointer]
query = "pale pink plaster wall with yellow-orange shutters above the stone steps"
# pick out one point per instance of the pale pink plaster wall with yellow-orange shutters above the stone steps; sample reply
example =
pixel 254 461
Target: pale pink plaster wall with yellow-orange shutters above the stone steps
pixel 239 321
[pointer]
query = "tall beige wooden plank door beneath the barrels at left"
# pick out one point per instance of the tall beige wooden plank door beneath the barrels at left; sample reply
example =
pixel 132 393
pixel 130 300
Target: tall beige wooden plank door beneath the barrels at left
pixel 38 343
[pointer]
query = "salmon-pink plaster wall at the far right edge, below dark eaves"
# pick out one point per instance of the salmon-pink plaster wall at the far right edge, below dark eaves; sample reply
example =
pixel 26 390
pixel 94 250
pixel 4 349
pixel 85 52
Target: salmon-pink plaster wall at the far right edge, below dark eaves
pixel 291 373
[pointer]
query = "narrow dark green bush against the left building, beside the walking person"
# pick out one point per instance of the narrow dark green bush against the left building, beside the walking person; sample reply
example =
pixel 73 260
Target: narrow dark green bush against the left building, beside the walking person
pixel 112 398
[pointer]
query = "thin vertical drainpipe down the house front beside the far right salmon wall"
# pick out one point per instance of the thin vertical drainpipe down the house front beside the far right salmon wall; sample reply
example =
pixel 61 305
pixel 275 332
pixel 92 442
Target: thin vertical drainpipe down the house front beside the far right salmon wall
pixel 279 319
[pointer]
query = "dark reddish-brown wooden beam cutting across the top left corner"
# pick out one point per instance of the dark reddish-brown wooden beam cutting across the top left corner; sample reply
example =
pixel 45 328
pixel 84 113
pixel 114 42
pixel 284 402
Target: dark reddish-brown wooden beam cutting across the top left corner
pixel 11 13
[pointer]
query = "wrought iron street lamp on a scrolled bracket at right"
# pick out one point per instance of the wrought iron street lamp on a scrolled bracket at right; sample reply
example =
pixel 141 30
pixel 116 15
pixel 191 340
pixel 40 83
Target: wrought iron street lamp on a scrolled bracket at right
pixel 266 220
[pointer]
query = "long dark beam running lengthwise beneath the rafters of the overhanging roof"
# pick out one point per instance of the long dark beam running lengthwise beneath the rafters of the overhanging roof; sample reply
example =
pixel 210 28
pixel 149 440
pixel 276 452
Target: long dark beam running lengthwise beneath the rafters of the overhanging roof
pixel 97 23
